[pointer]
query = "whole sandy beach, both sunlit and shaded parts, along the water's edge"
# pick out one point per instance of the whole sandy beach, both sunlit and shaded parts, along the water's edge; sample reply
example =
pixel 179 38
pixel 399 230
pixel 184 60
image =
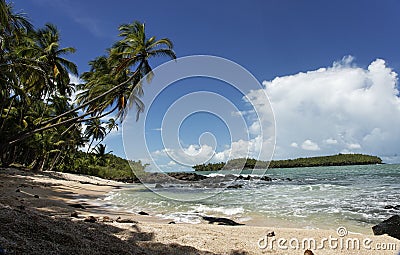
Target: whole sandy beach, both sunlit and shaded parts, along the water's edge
pixel 49 213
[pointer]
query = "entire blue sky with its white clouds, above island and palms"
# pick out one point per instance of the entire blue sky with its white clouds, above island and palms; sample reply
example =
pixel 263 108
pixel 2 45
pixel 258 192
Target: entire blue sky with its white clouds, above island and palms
pixel 329 70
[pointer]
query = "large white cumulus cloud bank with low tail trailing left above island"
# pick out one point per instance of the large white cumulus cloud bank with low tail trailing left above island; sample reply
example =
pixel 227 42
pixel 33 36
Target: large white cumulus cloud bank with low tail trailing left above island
pixel 339 109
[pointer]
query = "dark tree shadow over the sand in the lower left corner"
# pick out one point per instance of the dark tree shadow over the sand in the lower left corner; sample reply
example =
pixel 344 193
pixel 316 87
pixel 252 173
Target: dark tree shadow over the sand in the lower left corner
pixel 30 225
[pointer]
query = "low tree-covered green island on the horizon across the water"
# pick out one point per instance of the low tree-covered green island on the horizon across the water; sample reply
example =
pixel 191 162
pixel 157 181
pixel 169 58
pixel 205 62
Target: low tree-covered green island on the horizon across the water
pixel 249 163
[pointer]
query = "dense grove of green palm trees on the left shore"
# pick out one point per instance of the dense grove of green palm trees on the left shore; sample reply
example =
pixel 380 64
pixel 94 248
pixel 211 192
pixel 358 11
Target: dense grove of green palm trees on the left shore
pixel 42 124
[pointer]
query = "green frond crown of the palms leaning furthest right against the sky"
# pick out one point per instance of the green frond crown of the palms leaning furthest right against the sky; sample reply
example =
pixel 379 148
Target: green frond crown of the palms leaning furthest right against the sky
pixel 126 65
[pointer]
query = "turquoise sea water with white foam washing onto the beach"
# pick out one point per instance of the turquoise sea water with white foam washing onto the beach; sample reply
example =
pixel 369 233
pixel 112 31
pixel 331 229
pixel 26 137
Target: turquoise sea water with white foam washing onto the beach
pixel 317 197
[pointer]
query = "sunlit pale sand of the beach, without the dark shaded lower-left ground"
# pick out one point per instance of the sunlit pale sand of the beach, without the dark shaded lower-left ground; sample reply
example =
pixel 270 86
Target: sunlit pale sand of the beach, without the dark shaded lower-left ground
pixel 57 191
